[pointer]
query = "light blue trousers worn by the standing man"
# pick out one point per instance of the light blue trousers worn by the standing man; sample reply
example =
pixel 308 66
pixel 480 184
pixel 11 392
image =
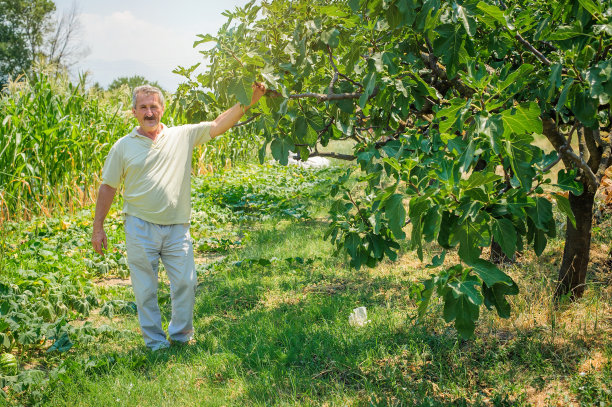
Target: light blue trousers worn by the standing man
pixel 147 243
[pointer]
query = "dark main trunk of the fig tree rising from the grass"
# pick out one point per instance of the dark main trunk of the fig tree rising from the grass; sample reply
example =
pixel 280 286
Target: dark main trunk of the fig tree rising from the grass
pixel 572 275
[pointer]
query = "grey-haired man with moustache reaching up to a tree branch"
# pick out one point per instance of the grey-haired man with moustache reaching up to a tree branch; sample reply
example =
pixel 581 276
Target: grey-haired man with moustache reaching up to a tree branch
pixel 154 162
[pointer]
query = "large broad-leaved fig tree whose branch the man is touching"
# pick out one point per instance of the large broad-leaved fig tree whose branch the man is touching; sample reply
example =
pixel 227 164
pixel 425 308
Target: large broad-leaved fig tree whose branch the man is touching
pixel 444 101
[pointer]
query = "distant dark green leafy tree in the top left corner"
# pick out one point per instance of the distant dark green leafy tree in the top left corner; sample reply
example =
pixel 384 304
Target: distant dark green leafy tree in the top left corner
pixel 23 26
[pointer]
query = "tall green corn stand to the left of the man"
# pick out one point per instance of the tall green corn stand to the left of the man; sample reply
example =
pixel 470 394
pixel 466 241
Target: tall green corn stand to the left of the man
pixel 54 137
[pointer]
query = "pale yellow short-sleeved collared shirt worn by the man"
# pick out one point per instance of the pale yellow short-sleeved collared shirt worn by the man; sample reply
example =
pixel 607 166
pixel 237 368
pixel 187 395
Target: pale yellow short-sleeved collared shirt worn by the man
pixel 156 174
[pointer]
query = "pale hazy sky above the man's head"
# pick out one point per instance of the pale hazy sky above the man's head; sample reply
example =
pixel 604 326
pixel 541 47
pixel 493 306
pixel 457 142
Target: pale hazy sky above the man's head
pixel 147 38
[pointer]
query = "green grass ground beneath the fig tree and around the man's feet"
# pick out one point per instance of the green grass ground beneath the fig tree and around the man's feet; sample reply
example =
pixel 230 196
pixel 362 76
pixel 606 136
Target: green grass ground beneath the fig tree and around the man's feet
pixel 271 321
